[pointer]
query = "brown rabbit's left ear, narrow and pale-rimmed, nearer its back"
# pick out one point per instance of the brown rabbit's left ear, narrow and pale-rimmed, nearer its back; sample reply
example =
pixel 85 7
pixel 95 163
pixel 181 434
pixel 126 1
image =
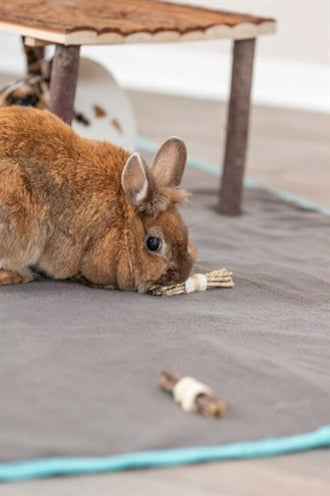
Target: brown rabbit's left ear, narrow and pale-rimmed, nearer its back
pixel 136 180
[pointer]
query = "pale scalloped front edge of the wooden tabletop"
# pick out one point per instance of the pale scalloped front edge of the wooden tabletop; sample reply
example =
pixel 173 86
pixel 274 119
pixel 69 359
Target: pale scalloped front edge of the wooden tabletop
pixel 221 31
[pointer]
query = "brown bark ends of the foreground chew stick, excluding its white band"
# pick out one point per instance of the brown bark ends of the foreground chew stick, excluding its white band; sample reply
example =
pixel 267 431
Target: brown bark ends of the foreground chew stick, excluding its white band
pixel 208 406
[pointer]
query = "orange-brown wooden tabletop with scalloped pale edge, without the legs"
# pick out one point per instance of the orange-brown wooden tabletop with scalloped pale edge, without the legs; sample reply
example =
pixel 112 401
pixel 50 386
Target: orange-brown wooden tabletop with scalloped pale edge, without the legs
pixel 85 22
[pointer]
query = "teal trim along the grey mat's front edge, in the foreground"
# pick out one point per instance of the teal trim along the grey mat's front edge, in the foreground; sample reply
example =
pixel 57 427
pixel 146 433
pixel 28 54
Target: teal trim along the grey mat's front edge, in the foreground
pixel 14 471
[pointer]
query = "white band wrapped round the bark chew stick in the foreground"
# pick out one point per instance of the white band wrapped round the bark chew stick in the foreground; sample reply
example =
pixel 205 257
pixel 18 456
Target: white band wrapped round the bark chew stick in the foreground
pixel 186 391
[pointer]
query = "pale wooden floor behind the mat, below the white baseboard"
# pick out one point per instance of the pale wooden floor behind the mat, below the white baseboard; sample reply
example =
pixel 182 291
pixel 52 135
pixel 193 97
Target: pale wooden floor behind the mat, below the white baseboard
pixel 288 149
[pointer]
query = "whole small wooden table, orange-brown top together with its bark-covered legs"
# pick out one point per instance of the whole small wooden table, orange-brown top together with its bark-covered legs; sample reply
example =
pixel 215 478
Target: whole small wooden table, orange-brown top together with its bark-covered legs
pixel 72 23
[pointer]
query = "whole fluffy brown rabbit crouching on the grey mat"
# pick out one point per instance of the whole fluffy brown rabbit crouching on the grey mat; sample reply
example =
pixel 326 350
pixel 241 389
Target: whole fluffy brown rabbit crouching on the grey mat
pixel 88 210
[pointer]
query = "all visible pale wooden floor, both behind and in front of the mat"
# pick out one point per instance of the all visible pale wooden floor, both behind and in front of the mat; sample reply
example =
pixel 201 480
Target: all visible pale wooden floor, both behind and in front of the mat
pixel 288 150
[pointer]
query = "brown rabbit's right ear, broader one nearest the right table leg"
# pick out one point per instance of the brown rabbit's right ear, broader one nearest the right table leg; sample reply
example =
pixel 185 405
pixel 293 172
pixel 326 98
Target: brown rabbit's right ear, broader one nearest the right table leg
pixel 169 162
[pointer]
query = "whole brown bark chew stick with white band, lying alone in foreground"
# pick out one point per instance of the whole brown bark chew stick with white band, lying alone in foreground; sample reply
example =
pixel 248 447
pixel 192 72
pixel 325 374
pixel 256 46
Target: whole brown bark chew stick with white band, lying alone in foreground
pixel 191 394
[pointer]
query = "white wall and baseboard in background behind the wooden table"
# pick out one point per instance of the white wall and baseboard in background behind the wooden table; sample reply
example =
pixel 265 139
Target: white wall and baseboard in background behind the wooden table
pixel 291 67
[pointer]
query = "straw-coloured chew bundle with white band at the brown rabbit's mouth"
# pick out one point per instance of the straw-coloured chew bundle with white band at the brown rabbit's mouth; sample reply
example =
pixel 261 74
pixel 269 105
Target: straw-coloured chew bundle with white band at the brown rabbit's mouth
pixel 220 278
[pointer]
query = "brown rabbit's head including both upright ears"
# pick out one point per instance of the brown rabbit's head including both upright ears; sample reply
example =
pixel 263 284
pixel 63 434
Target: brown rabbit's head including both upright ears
pixel 161 251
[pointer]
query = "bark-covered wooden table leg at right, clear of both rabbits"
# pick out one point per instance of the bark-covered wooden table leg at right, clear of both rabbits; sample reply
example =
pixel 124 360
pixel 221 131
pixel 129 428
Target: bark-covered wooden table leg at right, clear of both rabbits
pixel 237 128
